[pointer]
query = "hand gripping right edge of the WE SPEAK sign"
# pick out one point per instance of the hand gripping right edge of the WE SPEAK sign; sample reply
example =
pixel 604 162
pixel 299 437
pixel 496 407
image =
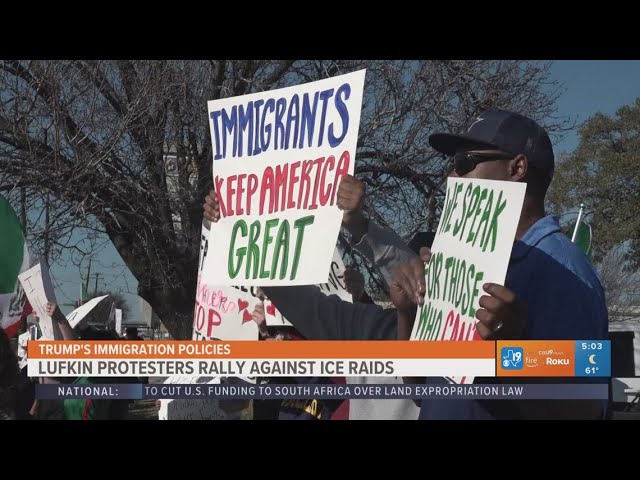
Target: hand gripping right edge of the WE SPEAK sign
pixel 502 314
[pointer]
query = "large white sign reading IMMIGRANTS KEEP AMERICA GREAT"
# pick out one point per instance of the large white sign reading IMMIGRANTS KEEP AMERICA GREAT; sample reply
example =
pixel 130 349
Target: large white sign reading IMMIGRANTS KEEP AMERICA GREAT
pixel 279 157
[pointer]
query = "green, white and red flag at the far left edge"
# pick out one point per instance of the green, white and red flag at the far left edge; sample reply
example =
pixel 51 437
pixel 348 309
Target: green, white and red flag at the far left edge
pixel 14 259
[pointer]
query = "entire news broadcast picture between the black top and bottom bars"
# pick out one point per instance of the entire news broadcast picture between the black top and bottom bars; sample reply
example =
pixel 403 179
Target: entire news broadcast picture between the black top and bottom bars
pixel 319 240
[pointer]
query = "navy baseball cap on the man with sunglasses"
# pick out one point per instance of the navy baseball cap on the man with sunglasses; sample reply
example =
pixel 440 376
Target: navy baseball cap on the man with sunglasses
pixel 502 130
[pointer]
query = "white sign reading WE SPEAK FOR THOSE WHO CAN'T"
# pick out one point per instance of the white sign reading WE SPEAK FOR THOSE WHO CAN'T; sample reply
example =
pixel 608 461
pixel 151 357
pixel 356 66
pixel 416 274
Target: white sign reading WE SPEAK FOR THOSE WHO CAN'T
pixel 472 247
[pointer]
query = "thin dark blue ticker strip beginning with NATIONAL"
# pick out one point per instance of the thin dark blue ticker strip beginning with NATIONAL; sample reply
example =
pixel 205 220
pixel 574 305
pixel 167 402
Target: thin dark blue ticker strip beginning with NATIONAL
pixel 591 391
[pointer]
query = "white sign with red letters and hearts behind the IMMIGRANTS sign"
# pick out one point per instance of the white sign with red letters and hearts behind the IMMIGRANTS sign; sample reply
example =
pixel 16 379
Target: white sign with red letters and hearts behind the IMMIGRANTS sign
pixel 223 313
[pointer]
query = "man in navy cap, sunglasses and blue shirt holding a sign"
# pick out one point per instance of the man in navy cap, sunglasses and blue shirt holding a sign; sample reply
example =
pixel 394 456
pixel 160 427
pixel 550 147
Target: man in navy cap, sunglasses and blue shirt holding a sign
pixel 551 292
